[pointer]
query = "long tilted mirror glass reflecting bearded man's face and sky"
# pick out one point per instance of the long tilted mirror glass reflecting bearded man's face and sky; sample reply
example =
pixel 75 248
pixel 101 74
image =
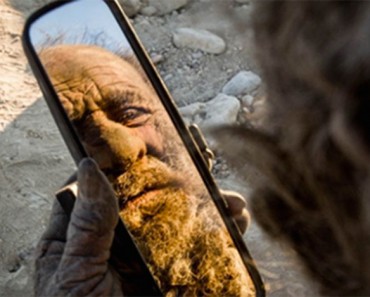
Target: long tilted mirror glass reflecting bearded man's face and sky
pixel 123 125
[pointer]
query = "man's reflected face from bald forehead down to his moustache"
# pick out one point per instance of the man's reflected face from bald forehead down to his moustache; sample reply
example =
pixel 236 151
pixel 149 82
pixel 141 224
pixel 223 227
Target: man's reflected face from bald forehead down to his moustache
pixel 117 116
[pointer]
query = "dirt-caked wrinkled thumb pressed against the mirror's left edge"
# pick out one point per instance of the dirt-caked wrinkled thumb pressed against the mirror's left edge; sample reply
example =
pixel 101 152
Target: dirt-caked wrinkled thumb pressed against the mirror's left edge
pixel 94 217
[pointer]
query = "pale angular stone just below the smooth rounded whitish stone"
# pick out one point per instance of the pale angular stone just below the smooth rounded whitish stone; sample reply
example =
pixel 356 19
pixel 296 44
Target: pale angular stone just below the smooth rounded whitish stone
pixel 222 110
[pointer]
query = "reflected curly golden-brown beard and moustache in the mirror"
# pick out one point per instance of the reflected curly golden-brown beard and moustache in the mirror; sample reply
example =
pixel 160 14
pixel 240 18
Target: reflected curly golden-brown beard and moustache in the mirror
pixel 182 238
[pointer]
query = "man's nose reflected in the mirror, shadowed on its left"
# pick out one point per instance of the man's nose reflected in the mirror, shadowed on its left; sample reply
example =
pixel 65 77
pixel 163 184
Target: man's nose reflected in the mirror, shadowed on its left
pixel 114 146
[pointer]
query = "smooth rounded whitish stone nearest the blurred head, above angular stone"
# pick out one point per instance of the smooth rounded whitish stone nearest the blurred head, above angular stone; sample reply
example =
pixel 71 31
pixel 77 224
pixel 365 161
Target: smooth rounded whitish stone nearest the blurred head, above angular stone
pixel 242 83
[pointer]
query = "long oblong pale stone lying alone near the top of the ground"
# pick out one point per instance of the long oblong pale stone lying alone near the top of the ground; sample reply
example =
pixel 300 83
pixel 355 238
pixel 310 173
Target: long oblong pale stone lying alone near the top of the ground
pixel 199 39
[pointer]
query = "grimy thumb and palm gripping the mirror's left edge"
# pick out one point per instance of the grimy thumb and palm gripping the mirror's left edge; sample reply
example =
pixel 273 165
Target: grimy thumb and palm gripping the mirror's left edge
pixel 72 256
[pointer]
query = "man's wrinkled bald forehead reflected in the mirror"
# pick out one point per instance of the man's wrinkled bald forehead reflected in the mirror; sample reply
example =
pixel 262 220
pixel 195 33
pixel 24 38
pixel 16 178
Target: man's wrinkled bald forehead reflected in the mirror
pixel 91 77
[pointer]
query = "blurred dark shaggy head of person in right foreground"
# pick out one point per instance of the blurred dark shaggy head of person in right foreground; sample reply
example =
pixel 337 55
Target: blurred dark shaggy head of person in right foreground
pixel 315 147
